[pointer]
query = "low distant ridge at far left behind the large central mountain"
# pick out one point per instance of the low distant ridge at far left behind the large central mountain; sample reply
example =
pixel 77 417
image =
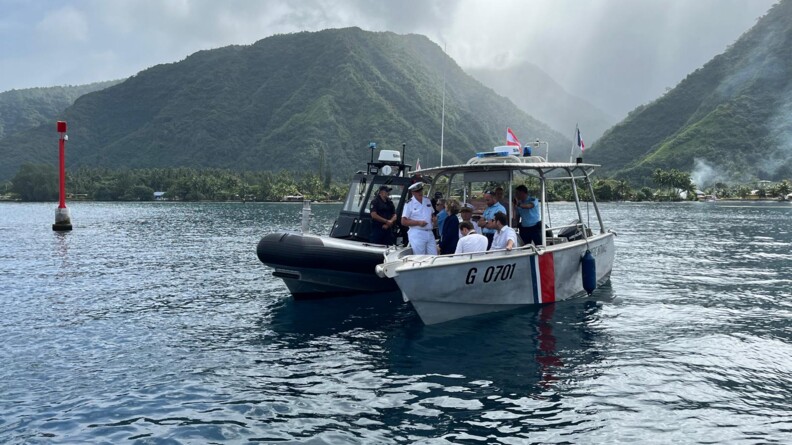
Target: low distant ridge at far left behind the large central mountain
pixel 28 108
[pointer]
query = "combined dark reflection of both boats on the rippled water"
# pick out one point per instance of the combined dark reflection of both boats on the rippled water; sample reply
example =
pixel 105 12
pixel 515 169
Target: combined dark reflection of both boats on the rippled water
pixel 526 351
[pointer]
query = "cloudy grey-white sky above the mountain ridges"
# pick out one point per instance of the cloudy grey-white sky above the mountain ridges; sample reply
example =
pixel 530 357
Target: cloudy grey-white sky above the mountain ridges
pixel 616 54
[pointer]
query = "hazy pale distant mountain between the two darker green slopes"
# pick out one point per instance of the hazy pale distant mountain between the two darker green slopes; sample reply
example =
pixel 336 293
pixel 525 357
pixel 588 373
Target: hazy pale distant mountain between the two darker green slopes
pixel 535 92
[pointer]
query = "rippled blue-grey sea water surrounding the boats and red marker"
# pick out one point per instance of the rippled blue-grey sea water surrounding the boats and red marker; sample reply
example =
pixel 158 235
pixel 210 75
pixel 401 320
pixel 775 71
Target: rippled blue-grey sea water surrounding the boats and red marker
pixel 155 323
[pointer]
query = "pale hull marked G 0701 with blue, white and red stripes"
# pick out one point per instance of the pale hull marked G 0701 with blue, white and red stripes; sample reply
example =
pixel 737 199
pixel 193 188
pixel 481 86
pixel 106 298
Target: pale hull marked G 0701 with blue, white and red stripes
pixel 445 288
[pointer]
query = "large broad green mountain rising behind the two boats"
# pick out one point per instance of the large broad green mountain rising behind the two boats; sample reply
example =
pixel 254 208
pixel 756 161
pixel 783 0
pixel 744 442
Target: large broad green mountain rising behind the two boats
pixel 285 102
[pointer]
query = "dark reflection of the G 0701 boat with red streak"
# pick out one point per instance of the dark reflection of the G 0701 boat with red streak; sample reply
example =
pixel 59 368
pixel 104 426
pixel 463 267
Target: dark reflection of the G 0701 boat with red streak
pixel 525 352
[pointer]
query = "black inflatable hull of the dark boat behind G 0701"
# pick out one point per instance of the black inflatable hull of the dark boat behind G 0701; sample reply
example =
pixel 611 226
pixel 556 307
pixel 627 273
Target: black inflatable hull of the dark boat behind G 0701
pixel 318 266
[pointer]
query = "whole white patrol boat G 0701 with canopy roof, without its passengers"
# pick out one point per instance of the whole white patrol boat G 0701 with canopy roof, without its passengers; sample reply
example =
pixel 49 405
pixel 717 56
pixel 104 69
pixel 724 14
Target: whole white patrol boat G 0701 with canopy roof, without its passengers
pixel 570 264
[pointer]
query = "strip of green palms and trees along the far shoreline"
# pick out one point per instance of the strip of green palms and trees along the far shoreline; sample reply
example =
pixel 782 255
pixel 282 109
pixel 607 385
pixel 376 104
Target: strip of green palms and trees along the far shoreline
pixel 39 183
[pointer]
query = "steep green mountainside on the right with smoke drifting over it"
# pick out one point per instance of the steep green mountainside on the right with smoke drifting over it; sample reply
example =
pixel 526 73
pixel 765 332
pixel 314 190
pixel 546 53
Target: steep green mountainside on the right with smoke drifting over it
pixel 732 116
